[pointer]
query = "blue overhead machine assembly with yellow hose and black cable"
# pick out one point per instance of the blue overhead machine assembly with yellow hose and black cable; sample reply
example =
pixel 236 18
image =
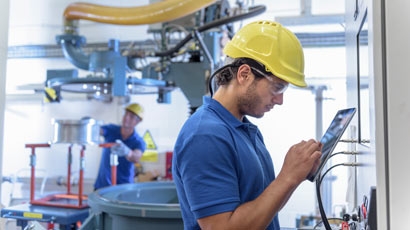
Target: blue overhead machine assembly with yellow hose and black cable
pixel 172 62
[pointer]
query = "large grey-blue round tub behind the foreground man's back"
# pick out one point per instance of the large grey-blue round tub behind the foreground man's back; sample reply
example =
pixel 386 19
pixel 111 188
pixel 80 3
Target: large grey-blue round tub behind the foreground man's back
pixel 146 205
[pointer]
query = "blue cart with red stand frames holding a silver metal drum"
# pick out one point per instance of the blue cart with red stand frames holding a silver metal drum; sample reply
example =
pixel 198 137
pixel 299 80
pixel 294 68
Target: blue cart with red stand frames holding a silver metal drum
pixel 67 209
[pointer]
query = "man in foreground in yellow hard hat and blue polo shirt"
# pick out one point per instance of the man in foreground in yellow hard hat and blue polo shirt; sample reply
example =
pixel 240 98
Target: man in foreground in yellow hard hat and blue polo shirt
pixel 223 172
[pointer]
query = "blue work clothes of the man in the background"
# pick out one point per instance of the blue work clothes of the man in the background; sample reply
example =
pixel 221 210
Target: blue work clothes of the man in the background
pixel 125 168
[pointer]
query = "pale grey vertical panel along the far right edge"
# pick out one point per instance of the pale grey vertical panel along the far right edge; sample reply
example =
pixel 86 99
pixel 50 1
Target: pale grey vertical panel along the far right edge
pixel 398 110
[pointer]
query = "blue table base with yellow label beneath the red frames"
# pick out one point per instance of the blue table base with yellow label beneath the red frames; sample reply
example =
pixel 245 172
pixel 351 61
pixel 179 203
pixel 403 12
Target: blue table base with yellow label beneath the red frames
pixel 67 218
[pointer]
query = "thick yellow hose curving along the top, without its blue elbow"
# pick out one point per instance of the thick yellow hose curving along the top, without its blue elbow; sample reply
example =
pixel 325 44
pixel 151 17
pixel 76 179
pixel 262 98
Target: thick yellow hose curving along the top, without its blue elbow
pixel 166 10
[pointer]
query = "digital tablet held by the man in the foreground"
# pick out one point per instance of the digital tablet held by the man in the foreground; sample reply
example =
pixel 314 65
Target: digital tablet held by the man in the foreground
pixel 332 136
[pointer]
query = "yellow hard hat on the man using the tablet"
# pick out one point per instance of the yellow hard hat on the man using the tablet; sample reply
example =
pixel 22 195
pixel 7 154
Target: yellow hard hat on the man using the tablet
pixel 272 45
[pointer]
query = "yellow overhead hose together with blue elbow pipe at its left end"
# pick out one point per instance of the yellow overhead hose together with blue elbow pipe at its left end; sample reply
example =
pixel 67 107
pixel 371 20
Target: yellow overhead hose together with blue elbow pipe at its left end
pixel 166 10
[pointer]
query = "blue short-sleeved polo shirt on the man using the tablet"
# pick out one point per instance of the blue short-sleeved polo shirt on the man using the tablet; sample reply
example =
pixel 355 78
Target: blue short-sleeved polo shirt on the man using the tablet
pixel 219 163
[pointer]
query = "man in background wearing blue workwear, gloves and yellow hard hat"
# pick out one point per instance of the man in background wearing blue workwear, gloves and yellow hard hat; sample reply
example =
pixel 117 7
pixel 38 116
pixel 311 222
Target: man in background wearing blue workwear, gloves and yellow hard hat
pixel 129 147
